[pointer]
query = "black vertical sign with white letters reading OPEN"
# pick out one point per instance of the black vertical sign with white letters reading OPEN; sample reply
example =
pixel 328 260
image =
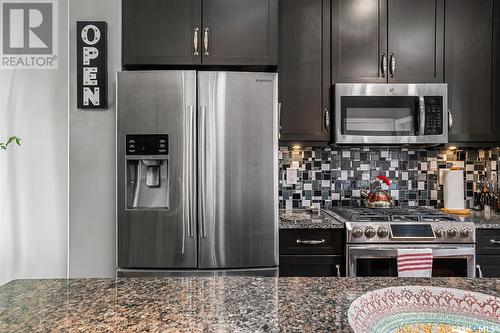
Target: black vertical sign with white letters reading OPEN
pixel 91 64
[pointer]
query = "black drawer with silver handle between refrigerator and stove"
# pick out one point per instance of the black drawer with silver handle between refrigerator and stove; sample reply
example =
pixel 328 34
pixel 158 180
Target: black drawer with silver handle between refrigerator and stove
pixel 311 241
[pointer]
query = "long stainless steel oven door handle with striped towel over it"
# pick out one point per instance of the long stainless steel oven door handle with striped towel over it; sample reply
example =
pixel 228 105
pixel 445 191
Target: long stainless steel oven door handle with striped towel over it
pixel 370 252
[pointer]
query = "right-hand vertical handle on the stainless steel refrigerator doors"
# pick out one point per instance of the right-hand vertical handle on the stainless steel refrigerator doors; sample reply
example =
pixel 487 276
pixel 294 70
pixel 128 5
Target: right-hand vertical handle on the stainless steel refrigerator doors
pixel 202 173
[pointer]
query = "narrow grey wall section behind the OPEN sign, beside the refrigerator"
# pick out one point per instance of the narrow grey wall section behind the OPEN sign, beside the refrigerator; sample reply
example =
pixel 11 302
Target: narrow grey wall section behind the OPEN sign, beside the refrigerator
pixel 92 155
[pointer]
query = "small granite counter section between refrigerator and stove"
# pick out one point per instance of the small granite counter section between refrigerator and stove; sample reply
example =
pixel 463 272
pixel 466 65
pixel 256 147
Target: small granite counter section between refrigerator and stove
pixel 303 219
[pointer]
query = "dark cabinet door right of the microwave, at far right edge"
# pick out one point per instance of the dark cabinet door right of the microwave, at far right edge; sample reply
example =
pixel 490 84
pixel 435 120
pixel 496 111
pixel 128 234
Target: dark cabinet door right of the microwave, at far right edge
pixel 468 70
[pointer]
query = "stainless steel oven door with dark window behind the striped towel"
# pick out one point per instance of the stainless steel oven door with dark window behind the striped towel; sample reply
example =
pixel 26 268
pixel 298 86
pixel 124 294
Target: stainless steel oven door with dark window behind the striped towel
pixel 381 260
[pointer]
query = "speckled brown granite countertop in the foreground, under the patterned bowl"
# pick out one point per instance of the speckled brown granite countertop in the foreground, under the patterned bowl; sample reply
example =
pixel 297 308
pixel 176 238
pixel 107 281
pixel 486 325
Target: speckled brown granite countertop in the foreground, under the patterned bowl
pixel 196 304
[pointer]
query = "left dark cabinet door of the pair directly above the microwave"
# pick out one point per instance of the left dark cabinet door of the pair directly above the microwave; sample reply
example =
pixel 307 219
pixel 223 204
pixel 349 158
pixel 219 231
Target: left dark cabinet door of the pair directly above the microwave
pixel 359 41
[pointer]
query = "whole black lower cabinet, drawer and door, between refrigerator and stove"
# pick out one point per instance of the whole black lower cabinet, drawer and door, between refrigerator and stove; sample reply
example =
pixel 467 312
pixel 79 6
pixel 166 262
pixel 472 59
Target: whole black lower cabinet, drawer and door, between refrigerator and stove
pixel 312 252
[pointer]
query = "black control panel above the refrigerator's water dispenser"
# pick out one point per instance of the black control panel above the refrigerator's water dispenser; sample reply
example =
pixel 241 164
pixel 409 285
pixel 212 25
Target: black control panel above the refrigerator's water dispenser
pixel 147 144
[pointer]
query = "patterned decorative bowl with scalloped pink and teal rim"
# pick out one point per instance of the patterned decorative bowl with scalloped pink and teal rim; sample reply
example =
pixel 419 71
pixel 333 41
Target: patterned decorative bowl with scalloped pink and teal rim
pixel 424 309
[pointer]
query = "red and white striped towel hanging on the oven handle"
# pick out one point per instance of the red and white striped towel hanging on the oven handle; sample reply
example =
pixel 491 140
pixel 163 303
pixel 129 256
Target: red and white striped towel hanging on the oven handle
pixel 414 262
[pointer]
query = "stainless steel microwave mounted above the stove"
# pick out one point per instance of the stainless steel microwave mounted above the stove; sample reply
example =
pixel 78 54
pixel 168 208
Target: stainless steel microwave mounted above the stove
pixel 391 113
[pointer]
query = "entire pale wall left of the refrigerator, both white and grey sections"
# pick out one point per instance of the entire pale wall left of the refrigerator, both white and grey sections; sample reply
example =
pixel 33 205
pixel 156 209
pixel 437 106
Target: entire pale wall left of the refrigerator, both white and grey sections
pixel 57 192
